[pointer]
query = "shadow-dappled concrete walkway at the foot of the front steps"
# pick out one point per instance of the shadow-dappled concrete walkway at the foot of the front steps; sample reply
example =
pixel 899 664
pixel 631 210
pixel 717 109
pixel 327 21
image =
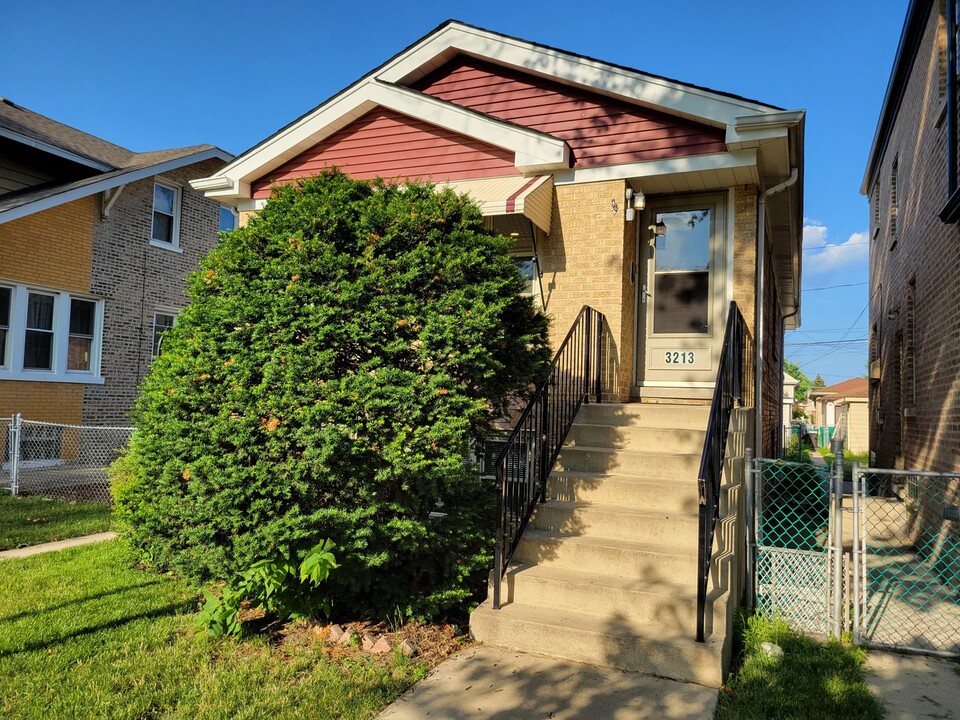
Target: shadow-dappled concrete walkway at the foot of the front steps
pixel 498 684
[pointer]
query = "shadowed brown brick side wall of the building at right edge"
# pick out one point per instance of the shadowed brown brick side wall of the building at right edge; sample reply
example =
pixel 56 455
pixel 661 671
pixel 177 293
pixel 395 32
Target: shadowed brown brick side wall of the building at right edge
pixel 926 375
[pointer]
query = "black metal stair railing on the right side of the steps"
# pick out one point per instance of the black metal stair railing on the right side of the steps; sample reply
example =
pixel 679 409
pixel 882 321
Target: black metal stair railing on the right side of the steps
pixel 729 390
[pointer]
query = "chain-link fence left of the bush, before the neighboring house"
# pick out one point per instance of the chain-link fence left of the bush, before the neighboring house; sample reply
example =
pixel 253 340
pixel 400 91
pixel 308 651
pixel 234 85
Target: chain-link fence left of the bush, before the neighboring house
pixel 64 462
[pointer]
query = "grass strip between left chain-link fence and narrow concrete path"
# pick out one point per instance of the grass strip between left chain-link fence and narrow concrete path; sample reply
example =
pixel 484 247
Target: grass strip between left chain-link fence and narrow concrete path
pixel 31 520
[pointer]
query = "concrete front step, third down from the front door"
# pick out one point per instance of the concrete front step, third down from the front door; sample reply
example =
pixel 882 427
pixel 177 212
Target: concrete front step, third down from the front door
pixel 629 462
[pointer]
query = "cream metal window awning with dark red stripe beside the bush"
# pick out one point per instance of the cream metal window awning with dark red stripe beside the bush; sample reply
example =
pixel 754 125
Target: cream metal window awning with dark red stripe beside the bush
pixel 528 196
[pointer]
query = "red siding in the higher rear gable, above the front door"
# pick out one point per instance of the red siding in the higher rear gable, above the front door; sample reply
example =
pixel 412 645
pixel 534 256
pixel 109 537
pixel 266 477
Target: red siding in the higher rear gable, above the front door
pixel 599 129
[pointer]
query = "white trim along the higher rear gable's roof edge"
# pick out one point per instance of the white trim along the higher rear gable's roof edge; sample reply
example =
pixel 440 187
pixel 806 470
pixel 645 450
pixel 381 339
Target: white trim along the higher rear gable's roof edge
pixel 676 98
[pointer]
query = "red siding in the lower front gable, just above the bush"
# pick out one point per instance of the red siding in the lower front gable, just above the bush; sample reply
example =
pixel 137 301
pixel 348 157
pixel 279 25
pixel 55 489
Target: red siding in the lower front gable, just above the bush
pixel 384 143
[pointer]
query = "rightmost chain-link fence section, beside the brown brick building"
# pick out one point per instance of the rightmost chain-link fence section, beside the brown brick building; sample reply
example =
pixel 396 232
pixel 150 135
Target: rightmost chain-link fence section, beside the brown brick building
pixel 908 557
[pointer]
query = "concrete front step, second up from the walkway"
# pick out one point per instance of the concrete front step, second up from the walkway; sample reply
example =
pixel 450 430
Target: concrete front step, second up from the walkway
pixel 672 606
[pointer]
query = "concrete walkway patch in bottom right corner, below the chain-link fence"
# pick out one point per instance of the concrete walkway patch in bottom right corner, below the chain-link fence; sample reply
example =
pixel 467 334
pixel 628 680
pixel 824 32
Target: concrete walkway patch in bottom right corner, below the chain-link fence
pixel 912 687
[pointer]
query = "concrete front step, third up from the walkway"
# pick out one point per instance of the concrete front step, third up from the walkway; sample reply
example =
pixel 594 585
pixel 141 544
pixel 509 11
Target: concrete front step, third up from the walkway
pixel 668 561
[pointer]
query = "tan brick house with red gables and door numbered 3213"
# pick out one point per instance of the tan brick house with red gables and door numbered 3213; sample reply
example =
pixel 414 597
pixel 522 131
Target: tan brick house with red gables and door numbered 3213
pixel 580 160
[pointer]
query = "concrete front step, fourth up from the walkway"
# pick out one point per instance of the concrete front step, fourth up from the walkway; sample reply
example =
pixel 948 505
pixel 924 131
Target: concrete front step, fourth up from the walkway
pixel 620 523
